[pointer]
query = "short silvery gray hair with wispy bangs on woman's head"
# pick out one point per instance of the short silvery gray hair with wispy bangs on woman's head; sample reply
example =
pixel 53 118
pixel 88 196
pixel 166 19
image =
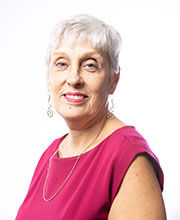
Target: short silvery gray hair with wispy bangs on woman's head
pixel 85 27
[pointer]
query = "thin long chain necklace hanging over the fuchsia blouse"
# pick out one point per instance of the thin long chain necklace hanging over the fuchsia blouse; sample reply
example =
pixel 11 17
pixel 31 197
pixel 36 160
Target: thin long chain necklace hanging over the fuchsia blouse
pixel 48 170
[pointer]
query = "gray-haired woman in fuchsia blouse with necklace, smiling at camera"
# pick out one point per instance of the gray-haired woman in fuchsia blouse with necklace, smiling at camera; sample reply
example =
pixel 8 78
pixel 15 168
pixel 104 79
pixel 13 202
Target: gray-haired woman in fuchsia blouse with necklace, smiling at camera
pixel 101 169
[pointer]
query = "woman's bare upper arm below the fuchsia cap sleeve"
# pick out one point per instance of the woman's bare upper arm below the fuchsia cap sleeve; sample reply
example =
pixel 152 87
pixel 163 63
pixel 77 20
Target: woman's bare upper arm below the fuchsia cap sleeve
pixel 139 197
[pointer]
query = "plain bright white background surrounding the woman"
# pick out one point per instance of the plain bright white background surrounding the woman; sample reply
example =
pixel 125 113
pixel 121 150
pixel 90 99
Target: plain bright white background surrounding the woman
pixel 147 95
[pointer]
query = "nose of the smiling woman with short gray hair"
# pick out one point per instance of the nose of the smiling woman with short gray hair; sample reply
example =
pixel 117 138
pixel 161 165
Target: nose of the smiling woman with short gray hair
pixel 74 79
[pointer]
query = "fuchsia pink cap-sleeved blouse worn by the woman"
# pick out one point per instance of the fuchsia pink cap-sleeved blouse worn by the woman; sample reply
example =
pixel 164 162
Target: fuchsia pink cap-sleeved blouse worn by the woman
pixel 89 192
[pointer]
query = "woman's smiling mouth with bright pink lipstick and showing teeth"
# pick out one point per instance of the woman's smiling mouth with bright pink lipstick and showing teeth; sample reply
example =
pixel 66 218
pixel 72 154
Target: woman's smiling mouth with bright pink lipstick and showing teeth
pixel 75 97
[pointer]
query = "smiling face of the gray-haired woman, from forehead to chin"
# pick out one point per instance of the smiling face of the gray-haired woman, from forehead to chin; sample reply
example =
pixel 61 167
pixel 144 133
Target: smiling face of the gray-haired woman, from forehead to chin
pixel 79 80
